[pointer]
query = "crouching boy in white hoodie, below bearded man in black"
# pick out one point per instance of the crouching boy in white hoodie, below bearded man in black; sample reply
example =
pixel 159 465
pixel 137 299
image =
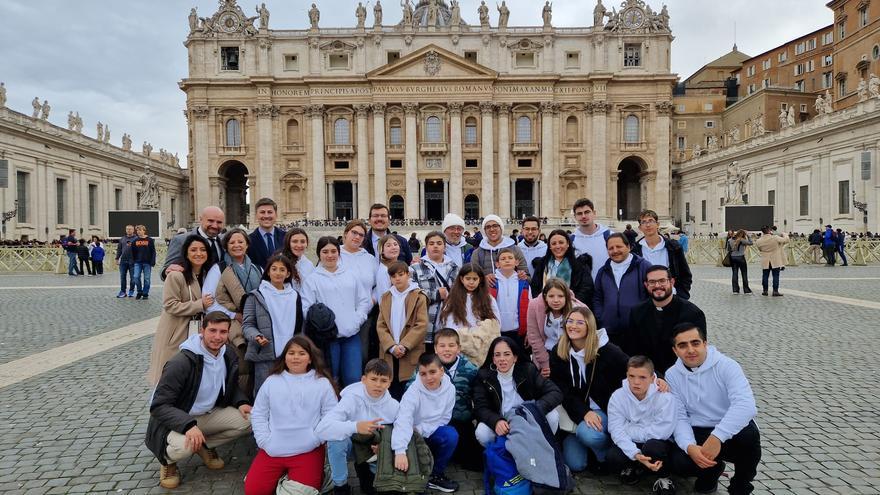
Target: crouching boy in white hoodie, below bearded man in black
pixel 641 420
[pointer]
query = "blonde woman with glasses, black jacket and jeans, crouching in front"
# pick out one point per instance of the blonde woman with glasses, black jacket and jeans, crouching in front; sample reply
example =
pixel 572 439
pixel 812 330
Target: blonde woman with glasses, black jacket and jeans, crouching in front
pixel 588 368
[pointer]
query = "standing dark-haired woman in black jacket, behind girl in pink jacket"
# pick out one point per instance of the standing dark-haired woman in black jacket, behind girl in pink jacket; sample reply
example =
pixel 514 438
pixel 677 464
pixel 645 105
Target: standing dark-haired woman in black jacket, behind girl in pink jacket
pixel 560 262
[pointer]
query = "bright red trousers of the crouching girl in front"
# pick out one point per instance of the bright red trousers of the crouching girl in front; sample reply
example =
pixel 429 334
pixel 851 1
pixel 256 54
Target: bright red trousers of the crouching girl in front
pixel 265 471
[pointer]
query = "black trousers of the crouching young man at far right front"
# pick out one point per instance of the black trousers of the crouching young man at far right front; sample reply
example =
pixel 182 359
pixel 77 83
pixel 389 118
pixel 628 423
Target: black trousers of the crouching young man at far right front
pixel 743 450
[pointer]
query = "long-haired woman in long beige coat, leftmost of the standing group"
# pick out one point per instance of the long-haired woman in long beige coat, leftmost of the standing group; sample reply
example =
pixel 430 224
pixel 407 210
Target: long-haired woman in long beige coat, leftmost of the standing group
pixel 182 303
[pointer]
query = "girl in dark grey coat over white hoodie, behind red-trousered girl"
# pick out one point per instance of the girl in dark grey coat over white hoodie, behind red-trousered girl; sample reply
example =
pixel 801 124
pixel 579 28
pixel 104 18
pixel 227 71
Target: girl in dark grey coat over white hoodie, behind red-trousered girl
pixel 272 315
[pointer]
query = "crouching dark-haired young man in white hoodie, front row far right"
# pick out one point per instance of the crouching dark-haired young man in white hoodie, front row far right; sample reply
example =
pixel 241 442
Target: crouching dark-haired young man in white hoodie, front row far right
pixel 717 420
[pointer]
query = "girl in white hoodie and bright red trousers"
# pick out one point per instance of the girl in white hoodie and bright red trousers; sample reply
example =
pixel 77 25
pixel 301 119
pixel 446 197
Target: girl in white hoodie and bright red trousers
pixel 297 393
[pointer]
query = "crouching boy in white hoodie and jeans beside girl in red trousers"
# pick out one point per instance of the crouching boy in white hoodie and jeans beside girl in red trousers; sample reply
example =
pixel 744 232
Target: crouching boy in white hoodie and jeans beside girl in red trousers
pixel 362 409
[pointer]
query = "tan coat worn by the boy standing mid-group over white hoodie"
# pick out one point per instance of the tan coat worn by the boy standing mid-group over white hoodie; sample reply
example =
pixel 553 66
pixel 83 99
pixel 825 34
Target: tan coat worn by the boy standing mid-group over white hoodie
pixel 413 335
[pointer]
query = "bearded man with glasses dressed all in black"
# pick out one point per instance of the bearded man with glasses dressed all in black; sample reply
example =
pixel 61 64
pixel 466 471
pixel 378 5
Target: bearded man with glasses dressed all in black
pixel 651 322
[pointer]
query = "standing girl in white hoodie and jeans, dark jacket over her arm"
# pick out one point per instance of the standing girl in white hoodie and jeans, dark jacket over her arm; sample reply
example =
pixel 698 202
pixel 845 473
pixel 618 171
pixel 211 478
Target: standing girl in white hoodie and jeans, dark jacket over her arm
pixel 337 287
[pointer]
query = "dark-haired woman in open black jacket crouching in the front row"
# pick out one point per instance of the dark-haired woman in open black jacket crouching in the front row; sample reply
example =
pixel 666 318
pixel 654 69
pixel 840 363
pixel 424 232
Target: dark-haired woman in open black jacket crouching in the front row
pixel 503 382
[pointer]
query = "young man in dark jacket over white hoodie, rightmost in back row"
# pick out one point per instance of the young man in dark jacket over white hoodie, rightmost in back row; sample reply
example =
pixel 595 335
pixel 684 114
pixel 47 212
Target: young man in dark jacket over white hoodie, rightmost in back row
pixel 662 250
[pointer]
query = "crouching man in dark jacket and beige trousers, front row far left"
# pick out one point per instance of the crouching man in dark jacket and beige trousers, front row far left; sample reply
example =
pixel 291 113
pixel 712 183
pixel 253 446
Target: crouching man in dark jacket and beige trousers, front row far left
pixel 193 409
